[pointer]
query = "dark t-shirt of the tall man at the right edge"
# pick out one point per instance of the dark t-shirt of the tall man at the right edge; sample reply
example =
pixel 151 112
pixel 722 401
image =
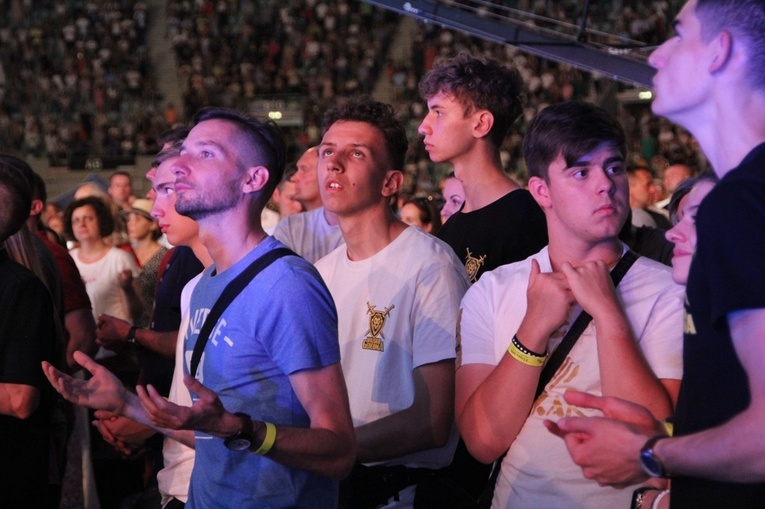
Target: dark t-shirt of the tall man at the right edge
pixel 726 275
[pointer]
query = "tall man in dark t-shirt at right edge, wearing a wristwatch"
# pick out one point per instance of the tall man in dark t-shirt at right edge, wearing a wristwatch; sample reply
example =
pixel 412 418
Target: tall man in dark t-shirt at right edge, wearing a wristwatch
pixel 711 80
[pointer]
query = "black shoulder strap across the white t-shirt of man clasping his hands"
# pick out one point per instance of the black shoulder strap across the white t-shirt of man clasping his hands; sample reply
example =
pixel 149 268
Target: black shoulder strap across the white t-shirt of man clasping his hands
pixel 556 360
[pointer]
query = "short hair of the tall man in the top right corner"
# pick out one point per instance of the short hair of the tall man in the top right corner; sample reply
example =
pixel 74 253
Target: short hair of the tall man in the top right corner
pixel 745 19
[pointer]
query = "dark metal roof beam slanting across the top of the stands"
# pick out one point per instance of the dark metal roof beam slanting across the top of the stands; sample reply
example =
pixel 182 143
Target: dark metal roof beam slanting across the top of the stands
pixel 558 47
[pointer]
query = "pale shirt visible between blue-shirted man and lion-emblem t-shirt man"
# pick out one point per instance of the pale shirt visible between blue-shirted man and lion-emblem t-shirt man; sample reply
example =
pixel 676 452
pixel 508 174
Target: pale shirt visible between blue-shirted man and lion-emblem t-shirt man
pixel 309 234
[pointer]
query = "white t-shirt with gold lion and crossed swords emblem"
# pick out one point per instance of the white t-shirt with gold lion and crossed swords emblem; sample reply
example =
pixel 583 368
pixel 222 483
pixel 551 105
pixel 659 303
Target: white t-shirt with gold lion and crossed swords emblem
pixel 397 310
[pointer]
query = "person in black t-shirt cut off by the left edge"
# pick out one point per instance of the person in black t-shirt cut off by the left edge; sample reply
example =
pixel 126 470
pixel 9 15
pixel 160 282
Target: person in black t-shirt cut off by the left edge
pixel 27 338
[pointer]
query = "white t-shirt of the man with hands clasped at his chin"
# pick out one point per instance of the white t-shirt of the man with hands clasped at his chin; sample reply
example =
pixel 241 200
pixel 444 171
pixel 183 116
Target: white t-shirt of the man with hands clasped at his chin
pixel 537 470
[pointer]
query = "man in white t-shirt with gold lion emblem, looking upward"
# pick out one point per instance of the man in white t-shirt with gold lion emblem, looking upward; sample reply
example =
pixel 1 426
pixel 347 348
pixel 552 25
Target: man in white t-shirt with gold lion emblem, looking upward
pixel 397 291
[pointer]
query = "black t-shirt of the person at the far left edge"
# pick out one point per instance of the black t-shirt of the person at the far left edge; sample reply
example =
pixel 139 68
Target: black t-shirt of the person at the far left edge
pixel 26 339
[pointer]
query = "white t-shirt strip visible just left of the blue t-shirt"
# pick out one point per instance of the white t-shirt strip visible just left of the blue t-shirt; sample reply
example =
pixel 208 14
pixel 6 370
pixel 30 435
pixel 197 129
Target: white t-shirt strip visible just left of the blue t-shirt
pixel 173 480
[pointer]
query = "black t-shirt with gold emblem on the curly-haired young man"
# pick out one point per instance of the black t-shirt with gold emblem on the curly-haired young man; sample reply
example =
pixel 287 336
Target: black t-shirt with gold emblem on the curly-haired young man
pixel 508 230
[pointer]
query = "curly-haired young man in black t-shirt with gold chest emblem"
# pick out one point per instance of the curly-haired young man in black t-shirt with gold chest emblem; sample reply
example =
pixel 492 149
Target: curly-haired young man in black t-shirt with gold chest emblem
pixel 472 103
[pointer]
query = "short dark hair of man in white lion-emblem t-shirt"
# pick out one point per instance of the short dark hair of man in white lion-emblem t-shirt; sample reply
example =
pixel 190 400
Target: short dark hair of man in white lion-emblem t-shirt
pixel 377 114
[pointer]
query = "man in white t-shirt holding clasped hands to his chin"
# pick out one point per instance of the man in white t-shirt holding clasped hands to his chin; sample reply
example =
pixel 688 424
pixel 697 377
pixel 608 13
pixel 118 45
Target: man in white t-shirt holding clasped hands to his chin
pixel 515 315
